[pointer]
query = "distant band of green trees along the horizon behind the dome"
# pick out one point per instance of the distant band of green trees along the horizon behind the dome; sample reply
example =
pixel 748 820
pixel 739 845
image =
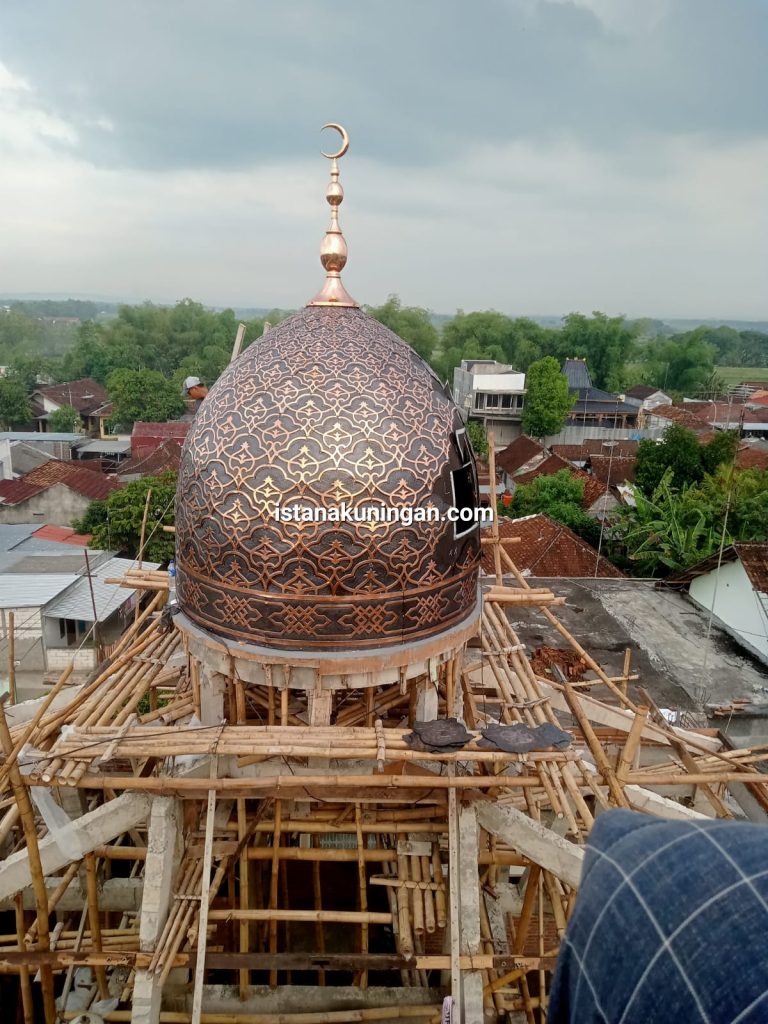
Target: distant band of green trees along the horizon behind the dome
pixel 189 338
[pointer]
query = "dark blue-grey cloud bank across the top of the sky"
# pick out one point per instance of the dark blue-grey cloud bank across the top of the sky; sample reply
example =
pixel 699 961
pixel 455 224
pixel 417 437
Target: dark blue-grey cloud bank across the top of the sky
pixel 197 84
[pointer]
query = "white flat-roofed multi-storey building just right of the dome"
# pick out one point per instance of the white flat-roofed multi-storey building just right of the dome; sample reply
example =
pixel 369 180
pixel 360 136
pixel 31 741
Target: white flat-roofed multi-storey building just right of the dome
pixel 492 394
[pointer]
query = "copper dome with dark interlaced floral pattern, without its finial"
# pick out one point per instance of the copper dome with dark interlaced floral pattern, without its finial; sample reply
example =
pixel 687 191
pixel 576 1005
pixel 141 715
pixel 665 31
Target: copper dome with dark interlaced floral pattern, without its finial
pixel 330 407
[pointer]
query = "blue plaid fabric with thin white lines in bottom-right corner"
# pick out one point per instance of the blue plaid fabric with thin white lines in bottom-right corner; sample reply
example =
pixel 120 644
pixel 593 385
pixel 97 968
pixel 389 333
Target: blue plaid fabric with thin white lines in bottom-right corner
pixel 670 925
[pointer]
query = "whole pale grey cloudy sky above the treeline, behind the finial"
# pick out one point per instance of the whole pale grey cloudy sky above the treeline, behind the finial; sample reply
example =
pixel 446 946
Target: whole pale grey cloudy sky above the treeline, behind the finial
pixel 530 156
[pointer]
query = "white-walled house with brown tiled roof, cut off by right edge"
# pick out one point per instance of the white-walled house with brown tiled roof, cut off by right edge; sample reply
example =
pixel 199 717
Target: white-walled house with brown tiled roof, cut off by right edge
pixel 734 589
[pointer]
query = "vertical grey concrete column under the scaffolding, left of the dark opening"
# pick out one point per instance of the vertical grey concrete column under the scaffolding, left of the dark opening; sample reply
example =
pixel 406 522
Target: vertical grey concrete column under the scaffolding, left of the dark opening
pixel 163 856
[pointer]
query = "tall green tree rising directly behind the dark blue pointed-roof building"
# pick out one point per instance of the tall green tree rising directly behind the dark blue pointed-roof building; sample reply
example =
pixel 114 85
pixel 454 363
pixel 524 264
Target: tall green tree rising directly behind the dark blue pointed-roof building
pixel 606 343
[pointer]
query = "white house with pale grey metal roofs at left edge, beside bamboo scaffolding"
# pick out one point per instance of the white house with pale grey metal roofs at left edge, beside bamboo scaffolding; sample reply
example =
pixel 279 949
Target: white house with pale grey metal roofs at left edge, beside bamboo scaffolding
pixel 57 593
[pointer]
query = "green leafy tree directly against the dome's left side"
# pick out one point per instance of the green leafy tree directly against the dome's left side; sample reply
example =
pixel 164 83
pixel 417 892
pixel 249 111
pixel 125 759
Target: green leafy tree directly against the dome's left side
pixel 116 523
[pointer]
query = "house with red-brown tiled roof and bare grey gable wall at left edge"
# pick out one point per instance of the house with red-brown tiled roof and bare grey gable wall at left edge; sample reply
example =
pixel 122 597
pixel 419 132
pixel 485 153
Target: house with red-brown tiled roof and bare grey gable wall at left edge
pixel 56 493
